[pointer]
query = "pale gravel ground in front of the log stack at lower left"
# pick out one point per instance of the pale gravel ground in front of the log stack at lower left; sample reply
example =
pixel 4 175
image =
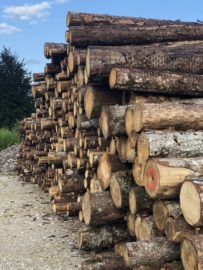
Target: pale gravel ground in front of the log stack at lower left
pixel 31 236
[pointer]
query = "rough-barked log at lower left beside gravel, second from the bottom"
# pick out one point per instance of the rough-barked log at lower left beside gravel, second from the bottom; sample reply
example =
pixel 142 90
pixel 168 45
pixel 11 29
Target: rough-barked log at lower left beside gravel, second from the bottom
pixel 98 238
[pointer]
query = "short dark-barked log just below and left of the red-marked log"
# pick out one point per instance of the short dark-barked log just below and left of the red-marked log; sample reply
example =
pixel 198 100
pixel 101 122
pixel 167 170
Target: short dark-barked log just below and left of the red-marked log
pixel 139 201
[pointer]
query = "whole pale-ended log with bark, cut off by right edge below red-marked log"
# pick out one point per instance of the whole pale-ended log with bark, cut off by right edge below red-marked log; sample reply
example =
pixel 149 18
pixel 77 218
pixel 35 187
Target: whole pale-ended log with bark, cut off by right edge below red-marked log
pixel 191 201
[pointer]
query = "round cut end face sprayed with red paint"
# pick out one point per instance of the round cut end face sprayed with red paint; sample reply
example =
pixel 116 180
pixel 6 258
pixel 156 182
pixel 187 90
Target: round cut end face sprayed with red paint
pixel 151 178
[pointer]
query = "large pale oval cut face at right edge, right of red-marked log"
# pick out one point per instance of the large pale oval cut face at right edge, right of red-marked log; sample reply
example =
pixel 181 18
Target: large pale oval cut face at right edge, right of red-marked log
pixel 190 203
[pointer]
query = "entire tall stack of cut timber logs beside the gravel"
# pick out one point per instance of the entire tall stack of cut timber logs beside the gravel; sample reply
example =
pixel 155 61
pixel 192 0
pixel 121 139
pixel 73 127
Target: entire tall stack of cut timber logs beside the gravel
pixel 117 136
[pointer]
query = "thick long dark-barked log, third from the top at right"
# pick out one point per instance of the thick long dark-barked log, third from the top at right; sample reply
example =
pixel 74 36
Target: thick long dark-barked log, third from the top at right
pixel 178 56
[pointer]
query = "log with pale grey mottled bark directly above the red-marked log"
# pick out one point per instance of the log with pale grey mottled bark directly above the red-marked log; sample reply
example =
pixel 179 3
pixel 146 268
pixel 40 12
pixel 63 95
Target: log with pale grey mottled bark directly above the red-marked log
pixel 168 143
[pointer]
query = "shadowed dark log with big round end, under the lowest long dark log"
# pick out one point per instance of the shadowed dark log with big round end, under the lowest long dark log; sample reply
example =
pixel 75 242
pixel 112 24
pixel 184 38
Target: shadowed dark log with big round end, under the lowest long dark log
pixel 96 97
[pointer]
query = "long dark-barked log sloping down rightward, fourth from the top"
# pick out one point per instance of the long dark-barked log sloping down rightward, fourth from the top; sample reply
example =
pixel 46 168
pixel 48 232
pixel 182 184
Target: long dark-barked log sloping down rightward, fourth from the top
pixel 161 82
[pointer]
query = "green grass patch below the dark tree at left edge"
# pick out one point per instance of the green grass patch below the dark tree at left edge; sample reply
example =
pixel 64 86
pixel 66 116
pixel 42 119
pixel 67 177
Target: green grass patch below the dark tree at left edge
pixel 8 137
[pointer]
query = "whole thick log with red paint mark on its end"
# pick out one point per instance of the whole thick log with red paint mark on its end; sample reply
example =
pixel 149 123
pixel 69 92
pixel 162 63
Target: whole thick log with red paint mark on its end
pixel 163 177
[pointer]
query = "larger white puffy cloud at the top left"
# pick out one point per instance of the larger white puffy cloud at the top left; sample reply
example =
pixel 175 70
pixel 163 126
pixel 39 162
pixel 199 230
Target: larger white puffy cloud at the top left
pixel 28 12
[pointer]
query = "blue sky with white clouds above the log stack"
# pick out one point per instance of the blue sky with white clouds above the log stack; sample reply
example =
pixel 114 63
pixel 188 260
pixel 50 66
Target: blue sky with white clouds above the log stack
pixel 26 24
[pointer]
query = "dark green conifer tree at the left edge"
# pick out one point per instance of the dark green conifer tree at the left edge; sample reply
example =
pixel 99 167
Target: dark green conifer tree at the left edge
pixel 16 101
